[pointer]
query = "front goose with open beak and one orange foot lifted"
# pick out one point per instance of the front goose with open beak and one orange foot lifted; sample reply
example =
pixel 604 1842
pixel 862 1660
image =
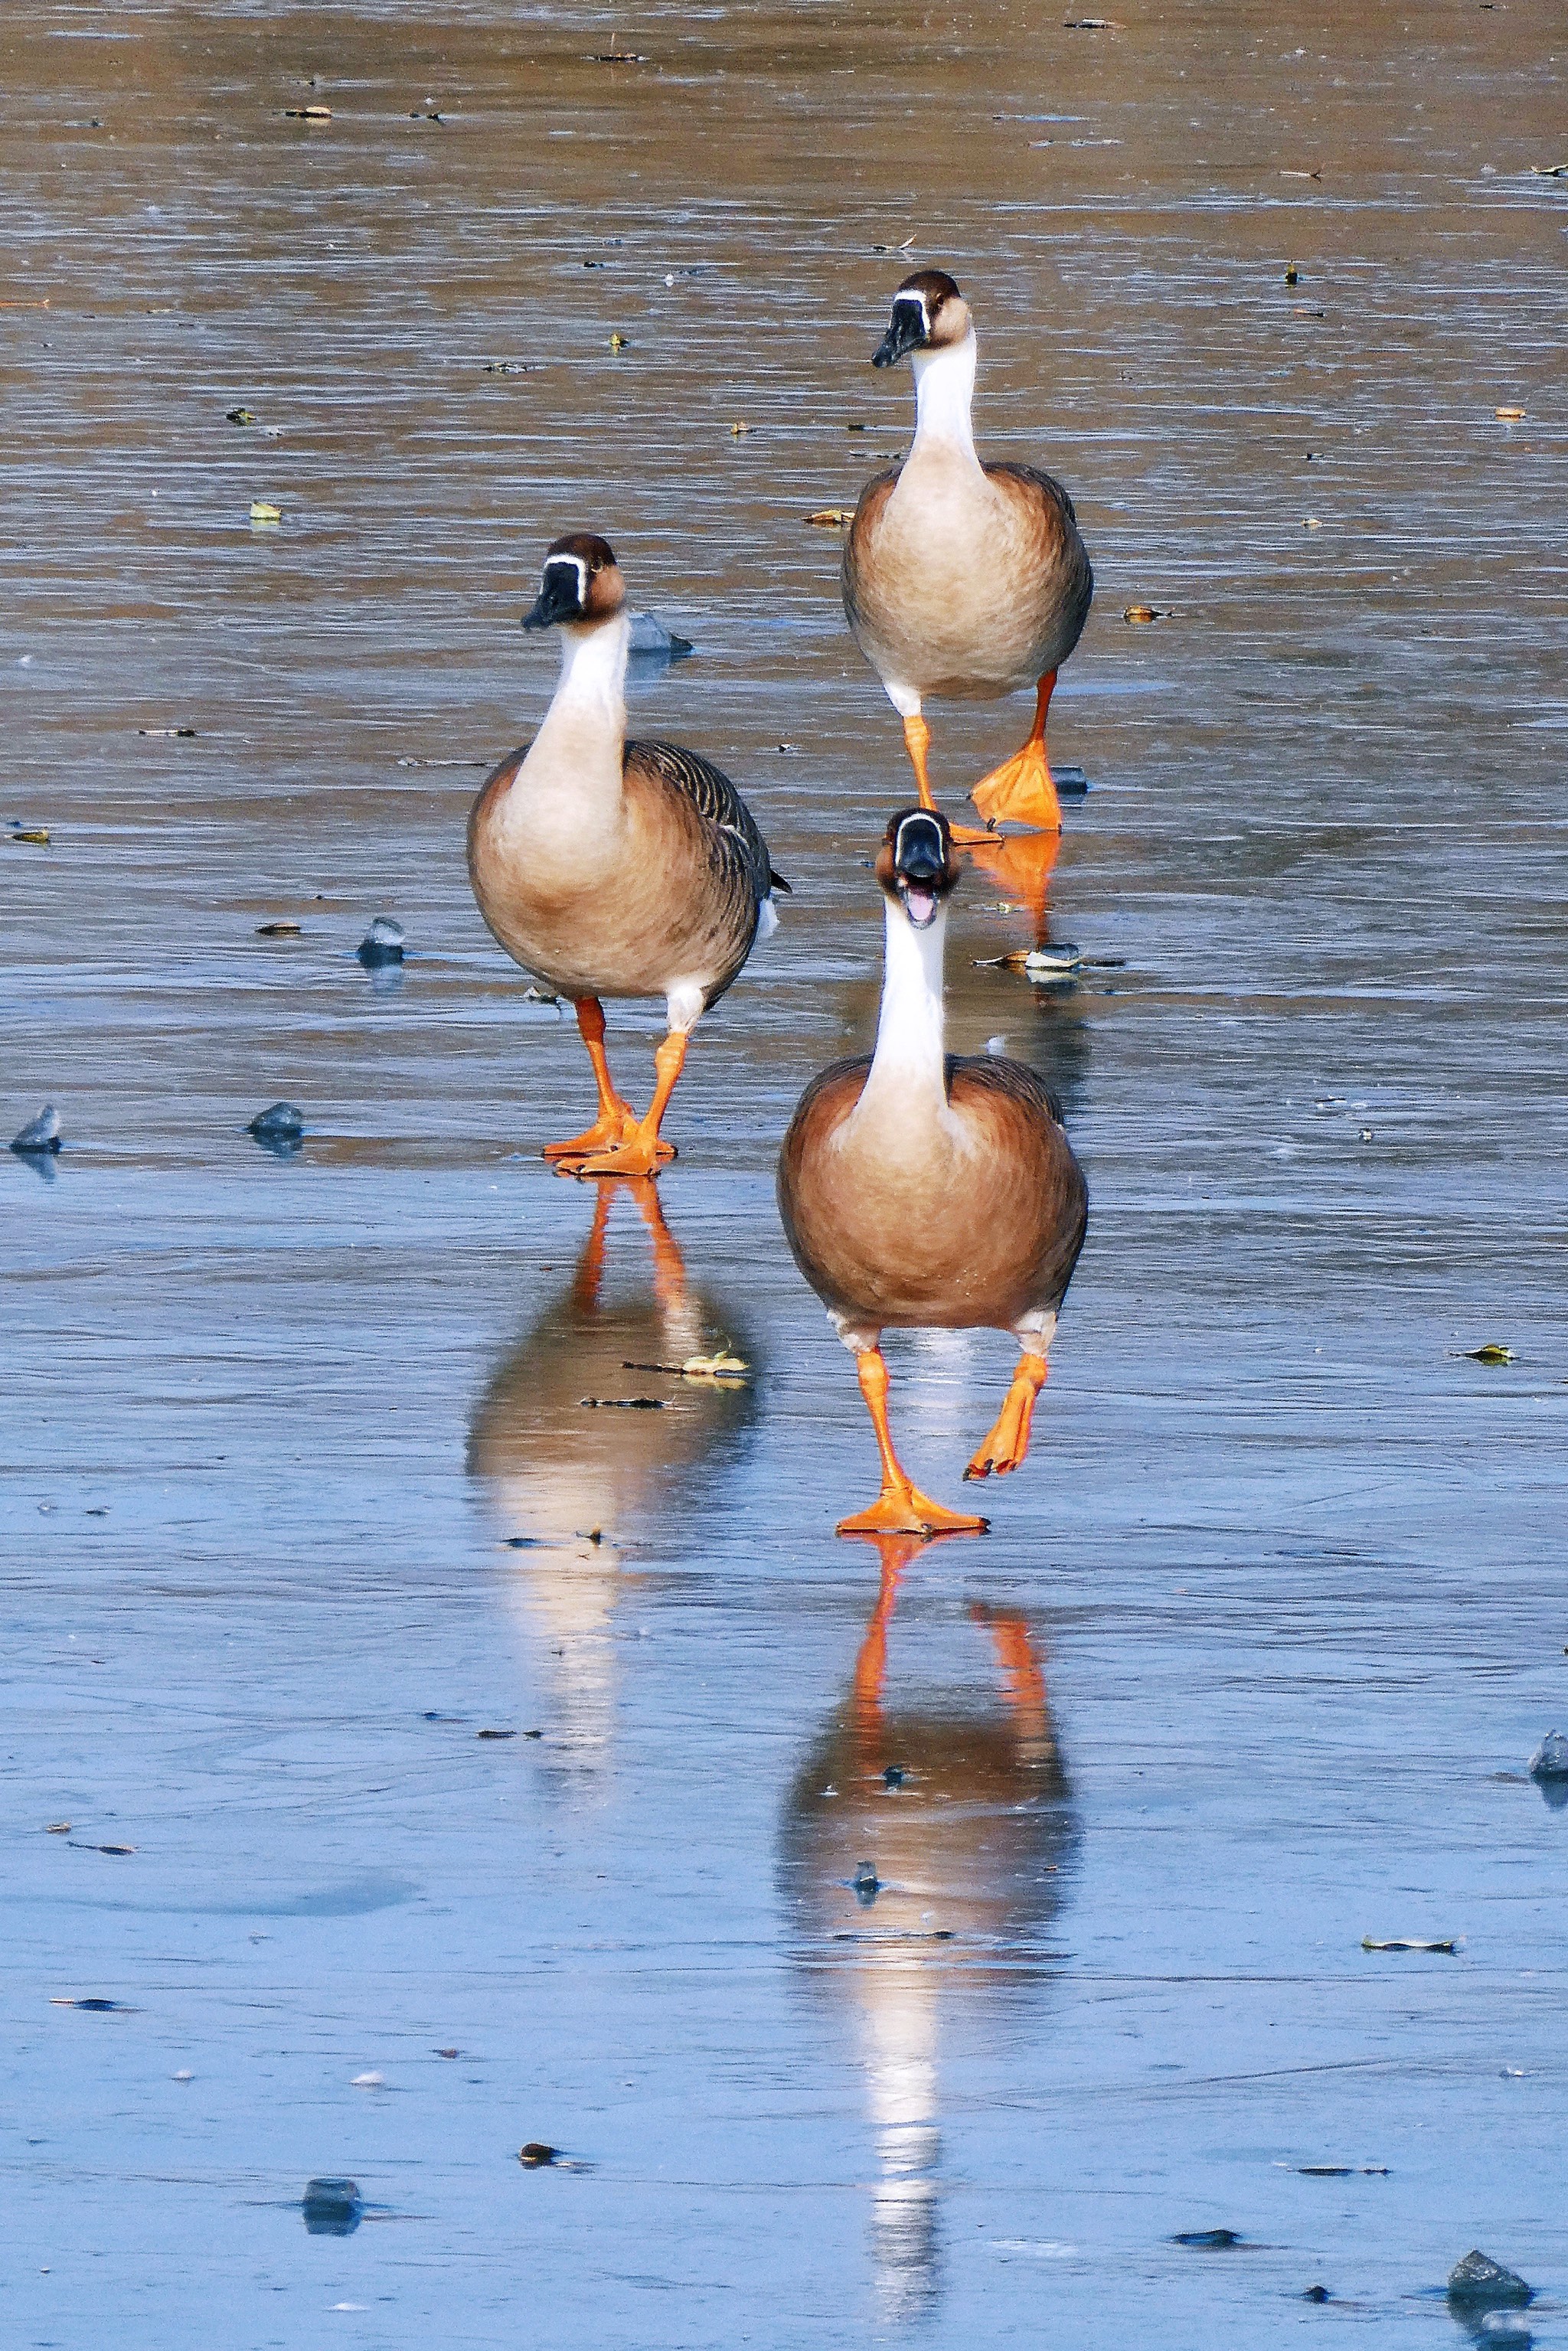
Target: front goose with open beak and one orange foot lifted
pixel 927 1191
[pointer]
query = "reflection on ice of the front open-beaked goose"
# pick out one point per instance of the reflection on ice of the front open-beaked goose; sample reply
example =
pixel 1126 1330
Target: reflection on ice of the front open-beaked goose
pixel 925 1861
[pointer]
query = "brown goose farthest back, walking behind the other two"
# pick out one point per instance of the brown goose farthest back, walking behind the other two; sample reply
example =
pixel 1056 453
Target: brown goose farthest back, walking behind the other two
pixel 960 577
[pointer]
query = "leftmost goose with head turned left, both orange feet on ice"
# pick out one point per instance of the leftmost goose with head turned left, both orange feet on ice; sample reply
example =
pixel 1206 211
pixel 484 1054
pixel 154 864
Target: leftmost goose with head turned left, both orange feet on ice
pixel 615 869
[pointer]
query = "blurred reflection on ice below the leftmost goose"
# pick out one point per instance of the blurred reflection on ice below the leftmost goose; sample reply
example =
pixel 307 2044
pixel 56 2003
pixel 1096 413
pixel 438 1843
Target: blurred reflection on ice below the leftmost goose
pixel 572 1485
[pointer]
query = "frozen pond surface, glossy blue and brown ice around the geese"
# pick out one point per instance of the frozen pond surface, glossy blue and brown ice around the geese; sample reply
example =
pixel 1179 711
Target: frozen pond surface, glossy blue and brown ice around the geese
pixel 300 1492
